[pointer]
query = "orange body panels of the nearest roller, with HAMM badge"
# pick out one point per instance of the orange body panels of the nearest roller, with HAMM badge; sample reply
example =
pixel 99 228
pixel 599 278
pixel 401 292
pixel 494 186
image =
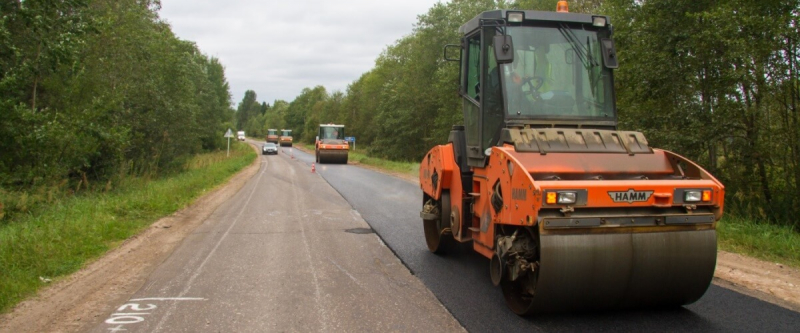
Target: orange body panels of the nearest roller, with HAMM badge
pixel 527 177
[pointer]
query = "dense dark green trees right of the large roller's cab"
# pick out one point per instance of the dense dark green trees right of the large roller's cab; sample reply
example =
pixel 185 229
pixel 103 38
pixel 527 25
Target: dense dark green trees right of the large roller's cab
pixel 716 81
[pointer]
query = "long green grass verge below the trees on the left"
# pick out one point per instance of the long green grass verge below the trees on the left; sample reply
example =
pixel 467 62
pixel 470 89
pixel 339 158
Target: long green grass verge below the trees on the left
pixel 53 241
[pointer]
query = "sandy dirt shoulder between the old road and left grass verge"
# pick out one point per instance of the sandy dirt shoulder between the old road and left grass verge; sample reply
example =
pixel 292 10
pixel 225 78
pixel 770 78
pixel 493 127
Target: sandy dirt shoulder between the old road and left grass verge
pixel 83 299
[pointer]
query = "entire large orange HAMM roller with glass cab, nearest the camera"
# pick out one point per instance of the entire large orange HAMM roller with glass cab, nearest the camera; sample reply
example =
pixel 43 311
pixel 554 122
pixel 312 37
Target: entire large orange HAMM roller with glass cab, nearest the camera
pixel 572 213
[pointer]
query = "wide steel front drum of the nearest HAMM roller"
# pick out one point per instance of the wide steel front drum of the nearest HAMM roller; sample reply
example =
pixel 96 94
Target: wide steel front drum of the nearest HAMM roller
pixel 618 270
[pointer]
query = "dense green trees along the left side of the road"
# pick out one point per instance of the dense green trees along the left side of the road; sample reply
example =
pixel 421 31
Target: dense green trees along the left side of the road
pixel 90 89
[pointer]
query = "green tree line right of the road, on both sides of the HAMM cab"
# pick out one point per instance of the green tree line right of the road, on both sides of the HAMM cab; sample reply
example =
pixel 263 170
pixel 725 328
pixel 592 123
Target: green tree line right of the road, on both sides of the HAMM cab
pixel 714 80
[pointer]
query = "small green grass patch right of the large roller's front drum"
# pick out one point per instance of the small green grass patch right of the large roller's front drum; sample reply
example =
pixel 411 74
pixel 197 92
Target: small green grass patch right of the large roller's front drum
pixel 760 240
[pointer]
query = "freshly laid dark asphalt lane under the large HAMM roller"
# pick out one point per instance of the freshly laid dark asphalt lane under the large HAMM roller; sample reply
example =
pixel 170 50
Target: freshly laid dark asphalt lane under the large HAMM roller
pixel 461 281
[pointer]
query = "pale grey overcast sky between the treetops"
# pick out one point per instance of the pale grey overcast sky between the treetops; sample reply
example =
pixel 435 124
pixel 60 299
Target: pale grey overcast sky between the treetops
pixel 277 48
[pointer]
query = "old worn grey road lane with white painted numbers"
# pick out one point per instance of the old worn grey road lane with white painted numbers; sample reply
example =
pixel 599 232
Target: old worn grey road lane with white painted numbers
pixel 286 253
